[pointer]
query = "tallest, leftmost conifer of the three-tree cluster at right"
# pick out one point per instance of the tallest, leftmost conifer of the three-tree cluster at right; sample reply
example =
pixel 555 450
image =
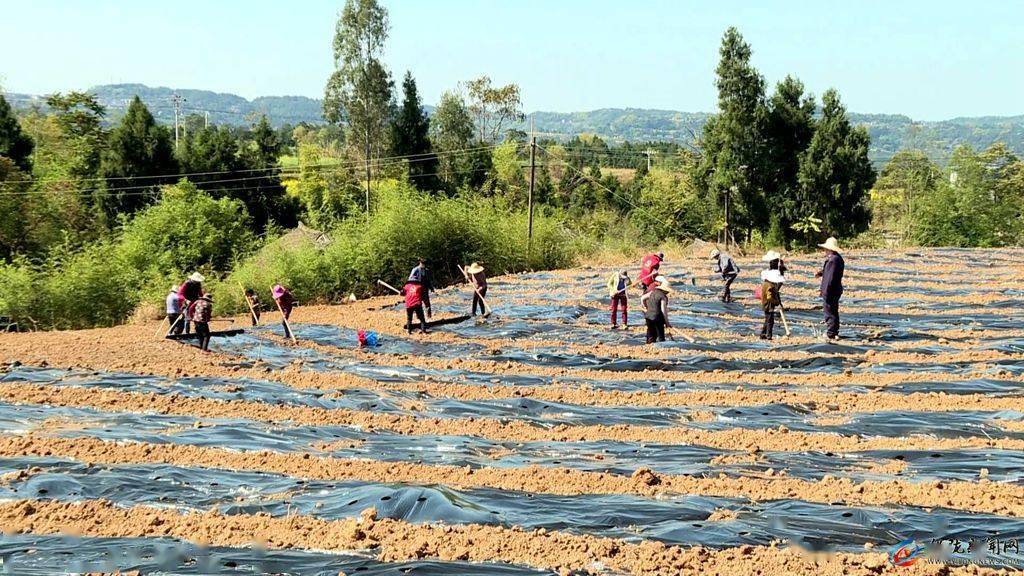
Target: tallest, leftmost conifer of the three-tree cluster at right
pixel 733 143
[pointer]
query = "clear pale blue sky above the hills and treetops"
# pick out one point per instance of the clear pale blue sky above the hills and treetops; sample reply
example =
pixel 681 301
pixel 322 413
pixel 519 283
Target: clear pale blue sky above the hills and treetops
pixel 929 60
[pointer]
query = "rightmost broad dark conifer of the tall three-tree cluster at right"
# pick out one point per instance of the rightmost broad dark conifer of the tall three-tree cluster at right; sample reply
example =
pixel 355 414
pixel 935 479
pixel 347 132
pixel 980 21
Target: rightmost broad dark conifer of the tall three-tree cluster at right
pixel 836 173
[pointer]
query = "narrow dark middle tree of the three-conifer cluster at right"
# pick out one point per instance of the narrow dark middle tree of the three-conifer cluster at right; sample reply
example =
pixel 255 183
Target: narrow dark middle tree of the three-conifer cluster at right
pixel 788 132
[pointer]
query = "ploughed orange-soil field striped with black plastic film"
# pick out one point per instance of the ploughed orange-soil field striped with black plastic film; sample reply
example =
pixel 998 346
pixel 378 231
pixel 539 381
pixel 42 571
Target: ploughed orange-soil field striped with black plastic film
pixel 537 441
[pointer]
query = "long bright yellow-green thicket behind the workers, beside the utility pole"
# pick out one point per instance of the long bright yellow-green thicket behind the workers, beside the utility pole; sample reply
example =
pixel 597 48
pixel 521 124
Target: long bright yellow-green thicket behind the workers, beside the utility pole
pixel 406 225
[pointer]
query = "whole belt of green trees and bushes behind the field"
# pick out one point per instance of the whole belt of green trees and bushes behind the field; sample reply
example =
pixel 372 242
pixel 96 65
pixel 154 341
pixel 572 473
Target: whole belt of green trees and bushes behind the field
pixel 103 214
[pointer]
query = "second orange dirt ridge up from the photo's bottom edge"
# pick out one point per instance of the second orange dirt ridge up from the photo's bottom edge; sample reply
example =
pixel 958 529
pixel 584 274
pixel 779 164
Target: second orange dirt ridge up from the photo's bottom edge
pixel 983 497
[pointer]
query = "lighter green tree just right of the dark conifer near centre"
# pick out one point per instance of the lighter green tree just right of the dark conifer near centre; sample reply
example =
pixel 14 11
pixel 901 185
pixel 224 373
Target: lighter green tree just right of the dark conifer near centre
pixel 451 135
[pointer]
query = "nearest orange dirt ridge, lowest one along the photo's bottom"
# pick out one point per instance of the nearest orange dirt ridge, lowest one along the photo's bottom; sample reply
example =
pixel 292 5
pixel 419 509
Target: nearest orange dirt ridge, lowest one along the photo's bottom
pixel 395 542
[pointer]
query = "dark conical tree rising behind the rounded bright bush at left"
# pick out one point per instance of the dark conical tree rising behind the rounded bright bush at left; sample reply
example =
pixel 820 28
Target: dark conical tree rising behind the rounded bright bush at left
pixel 138 151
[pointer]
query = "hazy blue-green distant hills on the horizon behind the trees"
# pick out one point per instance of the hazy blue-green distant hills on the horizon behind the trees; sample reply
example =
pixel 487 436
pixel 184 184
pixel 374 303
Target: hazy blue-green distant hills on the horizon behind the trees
pixel 889 133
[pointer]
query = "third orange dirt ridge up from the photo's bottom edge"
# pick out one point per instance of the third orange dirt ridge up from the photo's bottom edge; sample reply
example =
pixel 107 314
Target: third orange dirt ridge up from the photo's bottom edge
pixel 775 440
